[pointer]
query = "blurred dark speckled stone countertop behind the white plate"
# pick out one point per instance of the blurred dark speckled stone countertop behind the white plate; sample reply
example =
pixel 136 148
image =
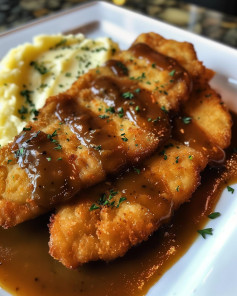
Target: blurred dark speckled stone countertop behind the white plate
pixel 216 20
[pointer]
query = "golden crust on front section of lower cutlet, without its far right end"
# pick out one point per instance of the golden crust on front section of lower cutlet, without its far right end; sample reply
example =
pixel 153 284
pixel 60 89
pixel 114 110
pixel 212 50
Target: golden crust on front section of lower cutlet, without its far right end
pixel 79 235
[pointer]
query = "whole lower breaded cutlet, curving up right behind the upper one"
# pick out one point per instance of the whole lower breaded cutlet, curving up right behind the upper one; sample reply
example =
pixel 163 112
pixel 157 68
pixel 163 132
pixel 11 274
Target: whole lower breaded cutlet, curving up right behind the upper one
pixel 92 228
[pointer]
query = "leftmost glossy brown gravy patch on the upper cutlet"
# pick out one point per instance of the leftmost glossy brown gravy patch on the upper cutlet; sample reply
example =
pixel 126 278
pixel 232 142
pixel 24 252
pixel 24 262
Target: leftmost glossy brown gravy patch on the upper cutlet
pixel 53 178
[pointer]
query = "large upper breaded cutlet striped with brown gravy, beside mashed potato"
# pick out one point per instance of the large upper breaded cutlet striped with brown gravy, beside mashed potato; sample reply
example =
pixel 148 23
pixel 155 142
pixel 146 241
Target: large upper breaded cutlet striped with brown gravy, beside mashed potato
pixel 111 117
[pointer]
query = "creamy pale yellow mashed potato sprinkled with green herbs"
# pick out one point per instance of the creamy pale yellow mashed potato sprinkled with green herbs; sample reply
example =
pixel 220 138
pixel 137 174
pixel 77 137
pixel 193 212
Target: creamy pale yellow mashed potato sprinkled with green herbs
pixel 30 73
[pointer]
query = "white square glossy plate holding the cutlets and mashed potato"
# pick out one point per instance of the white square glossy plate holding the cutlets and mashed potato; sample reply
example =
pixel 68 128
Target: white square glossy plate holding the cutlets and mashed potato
pixel 209 267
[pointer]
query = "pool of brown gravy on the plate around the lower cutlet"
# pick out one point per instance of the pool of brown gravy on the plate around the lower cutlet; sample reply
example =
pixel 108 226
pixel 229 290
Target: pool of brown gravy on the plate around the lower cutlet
pixel 25 248
